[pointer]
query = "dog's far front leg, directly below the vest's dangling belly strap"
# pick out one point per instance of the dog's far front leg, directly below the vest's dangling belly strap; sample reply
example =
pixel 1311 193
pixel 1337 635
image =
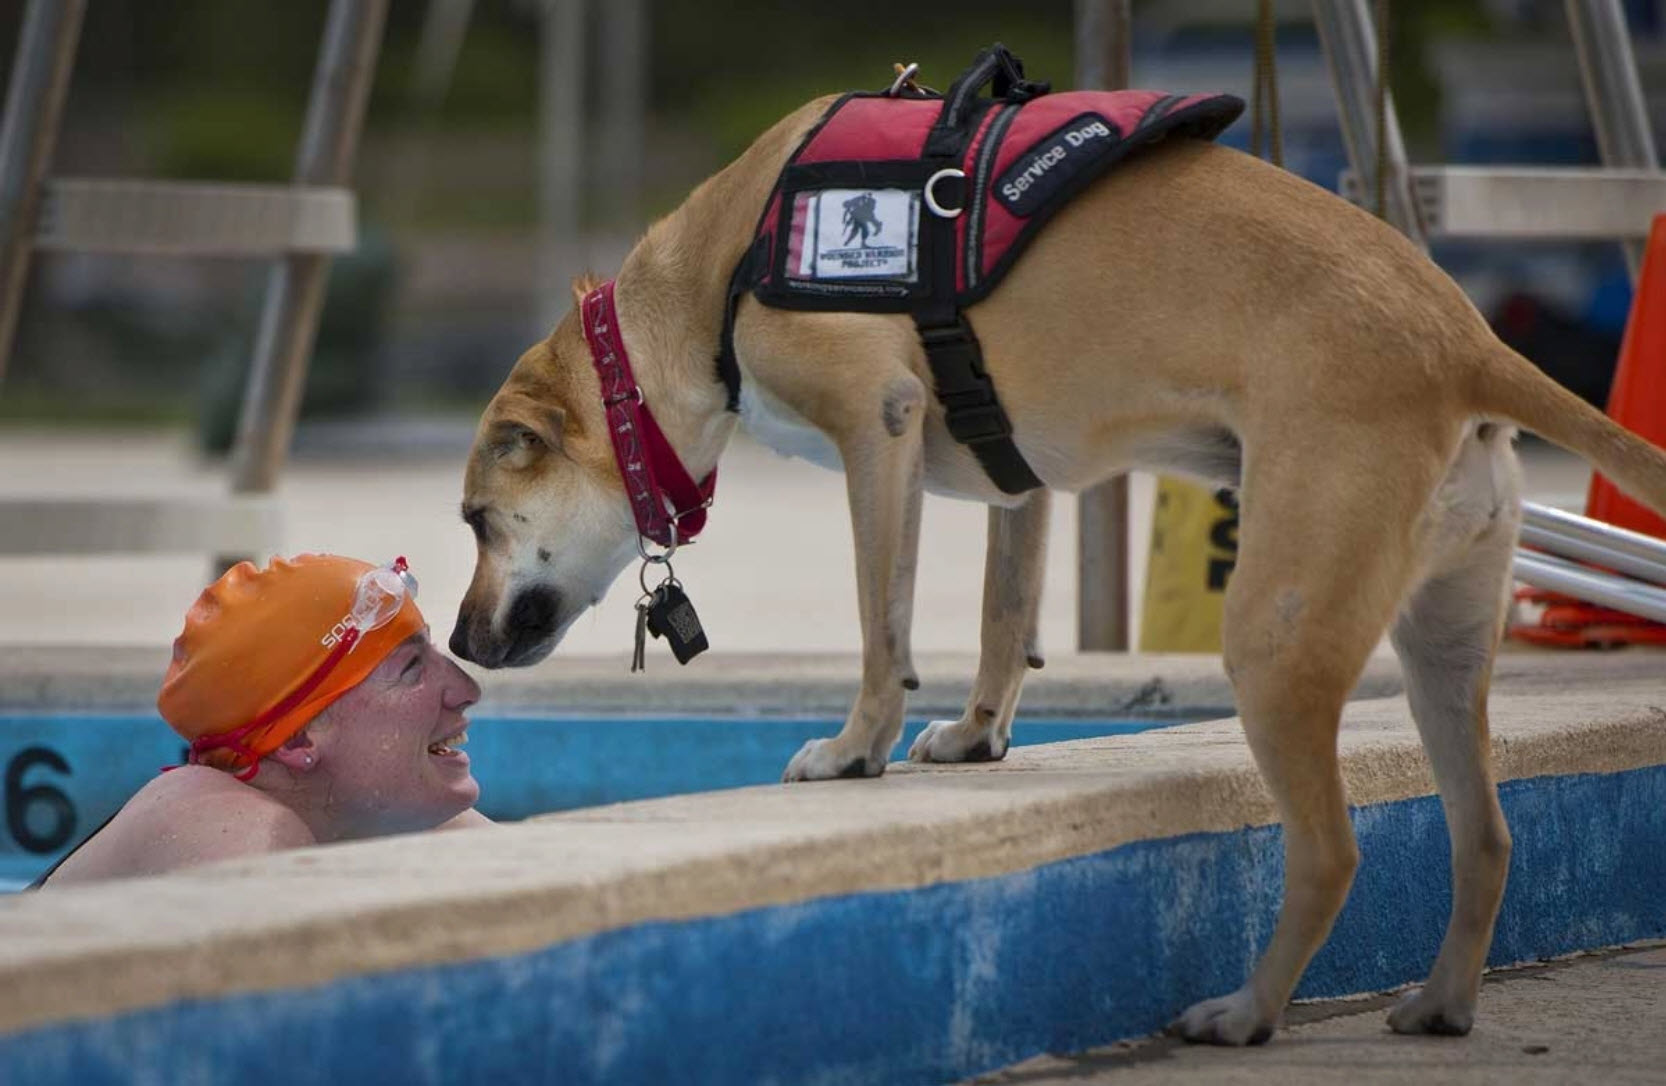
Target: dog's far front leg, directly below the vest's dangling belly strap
pixel 1012 597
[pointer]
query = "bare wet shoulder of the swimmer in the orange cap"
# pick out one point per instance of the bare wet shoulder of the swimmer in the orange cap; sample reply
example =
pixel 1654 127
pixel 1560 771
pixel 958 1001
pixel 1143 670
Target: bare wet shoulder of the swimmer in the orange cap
pixel 182 819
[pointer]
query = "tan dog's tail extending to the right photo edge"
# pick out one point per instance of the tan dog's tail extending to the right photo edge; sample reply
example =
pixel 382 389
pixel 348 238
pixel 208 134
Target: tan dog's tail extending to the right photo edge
pixel 1515 389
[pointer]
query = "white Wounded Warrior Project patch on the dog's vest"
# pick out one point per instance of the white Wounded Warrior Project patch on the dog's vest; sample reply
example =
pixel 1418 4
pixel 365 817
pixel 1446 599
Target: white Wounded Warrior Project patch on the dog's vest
pixel 844 234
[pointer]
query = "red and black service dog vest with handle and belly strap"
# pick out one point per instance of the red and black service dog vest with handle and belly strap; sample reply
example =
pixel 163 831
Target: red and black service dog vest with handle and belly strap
pixel 912 202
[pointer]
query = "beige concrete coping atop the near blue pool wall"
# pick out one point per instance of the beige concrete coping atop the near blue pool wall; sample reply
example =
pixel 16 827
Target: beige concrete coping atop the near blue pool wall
pixel 374 907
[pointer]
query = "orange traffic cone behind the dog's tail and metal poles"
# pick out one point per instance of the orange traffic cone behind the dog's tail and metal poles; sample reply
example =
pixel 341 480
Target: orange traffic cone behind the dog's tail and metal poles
pixel 1639 404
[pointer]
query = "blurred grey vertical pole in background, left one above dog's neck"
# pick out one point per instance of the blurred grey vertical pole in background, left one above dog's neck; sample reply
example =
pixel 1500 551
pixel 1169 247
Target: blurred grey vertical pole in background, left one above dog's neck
pixel 561 154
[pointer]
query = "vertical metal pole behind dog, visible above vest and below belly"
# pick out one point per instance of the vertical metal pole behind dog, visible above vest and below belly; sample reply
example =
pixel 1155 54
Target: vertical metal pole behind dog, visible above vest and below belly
pixel 1104 62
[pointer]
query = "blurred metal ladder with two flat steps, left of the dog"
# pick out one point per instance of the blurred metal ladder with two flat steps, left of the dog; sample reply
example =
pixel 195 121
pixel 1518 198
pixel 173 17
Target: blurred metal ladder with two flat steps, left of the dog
pixel 299 227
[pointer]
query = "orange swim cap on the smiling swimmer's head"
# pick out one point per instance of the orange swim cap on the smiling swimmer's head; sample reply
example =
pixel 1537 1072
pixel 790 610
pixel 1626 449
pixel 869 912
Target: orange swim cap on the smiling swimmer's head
pixel 254 645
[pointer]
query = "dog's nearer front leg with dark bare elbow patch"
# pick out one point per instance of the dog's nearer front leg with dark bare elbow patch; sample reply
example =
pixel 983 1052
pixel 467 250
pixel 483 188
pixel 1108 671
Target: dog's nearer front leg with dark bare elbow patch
pixel 884 461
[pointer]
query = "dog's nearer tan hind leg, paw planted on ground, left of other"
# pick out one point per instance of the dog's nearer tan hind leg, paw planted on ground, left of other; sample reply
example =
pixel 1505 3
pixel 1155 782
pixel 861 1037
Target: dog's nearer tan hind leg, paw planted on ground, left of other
pixel 1327 549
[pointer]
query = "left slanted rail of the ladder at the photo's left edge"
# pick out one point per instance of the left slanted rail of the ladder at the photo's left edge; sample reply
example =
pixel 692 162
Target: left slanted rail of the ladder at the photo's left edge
pixel 34 106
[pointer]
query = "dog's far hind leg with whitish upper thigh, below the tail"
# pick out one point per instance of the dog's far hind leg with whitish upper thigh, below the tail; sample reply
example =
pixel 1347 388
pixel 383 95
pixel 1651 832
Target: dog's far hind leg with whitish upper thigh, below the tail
pixel 1447 639
